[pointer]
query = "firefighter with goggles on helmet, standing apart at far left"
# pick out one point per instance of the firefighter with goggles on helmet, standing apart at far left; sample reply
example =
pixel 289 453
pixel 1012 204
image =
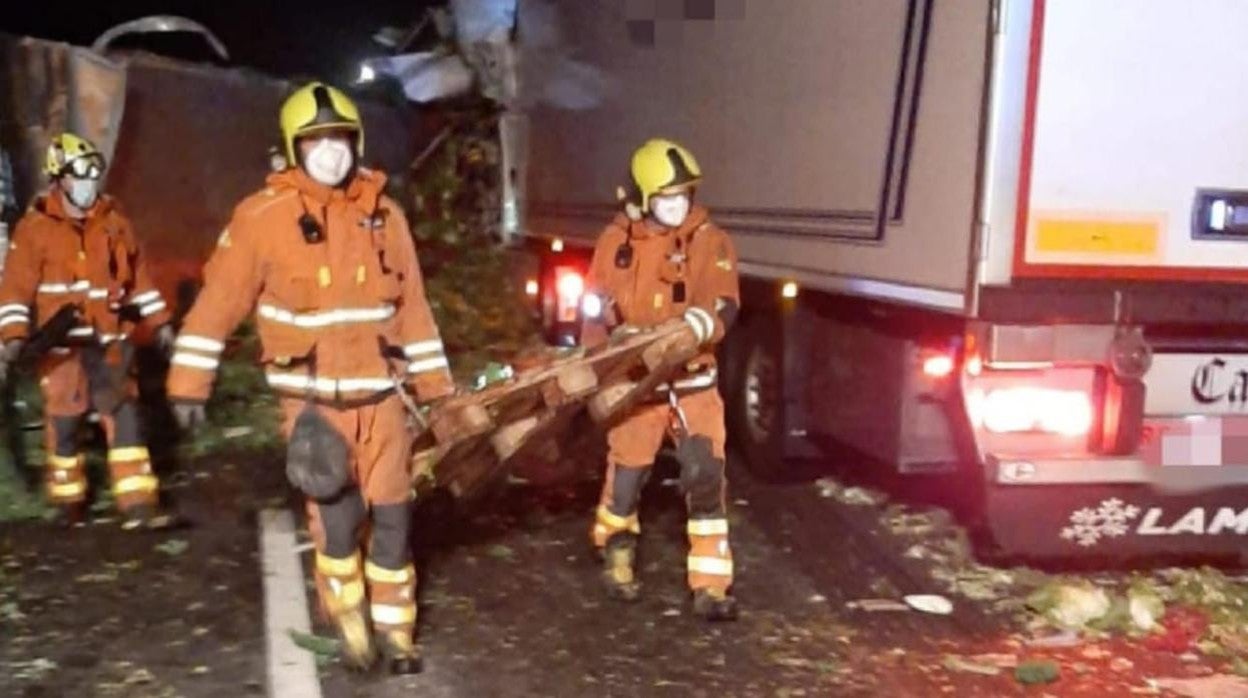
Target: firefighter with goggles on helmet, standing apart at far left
pixel 76 254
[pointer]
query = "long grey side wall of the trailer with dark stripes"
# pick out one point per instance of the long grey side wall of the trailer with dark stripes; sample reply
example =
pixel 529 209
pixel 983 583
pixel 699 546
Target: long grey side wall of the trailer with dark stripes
pixel 791 112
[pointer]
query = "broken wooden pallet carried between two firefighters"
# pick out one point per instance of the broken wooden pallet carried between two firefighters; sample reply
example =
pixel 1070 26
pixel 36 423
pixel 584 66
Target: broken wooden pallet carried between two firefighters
pixel 472 439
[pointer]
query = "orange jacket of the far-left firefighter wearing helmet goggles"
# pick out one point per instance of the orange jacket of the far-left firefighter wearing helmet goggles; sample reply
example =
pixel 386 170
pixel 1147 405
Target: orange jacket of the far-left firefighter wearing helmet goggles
pixel 94 263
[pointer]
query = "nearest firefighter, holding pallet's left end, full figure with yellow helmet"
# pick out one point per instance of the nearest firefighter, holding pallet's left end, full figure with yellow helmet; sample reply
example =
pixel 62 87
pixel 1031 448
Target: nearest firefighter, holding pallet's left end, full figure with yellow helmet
pixel 330 267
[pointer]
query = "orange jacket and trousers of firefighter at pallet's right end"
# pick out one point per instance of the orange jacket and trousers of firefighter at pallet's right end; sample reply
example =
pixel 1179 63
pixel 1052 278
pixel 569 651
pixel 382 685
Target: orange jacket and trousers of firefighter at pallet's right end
pixel 686 273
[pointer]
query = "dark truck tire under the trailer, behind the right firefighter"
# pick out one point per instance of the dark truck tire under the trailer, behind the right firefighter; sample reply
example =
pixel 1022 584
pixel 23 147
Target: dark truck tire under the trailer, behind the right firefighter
pixel 754 398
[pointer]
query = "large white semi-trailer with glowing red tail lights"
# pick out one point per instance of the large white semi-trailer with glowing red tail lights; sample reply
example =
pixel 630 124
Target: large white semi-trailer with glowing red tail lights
pixel 1007 240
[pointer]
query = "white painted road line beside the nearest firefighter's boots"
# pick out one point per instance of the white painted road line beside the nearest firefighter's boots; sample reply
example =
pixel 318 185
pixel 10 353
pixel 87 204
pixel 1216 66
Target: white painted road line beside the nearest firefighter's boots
pixel 291 670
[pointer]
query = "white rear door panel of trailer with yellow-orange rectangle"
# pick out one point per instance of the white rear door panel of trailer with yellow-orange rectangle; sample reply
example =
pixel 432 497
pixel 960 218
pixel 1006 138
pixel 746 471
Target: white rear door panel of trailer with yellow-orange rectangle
pixel 1138 108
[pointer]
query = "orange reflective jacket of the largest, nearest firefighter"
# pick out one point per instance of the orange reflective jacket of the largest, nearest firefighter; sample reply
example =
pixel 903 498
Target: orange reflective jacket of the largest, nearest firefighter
pixel 341 320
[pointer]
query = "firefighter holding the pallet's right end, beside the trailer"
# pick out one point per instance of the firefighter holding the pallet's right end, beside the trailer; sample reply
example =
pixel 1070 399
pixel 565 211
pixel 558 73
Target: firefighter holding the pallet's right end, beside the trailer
pixel 661 260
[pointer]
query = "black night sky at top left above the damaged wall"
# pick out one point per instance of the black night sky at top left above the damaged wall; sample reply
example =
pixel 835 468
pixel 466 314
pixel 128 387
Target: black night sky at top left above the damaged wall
pixel 311 38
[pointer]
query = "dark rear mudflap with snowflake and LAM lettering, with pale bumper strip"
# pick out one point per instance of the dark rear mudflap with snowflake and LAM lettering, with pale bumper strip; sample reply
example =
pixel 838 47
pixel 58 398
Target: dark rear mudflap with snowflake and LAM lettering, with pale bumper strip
pixel 1118 509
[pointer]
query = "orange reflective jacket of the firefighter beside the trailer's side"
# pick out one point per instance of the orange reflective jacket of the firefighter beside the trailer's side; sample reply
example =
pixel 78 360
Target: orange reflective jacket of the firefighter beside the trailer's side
pixel 646 285
